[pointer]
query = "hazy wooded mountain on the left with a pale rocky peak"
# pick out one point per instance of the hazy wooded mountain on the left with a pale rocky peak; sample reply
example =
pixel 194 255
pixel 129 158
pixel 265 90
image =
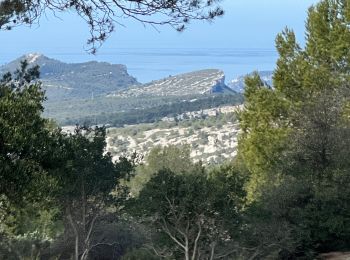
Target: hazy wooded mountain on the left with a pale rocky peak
pixel 77 80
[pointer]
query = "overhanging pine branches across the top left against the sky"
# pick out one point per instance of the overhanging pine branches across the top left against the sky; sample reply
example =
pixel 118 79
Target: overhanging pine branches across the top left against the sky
pixel 101 16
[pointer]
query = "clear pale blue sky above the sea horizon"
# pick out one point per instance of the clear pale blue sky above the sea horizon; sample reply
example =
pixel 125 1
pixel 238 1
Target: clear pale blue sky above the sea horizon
pixel 246 24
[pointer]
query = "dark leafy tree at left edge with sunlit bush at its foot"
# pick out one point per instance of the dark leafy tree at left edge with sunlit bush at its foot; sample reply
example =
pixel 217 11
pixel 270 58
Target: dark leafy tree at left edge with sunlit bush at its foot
pixel 28 216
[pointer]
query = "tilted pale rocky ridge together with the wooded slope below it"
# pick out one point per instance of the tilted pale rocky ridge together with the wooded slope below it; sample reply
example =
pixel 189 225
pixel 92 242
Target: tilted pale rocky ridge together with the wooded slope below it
pixel 147 103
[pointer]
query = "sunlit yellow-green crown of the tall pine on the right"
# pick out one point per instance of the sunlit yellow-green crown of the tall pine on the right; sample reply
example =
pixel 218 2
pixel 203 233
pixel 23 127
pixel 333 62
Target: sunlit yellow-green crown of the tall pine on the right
pixel 310 87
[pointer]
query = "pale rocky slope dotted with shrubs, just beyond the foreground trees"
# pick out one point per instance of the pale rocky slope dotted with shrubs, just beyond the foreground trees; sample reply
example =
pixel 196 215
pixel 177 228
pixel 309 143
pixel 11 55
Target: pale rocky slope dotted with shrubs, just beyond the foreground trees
pixel 211 134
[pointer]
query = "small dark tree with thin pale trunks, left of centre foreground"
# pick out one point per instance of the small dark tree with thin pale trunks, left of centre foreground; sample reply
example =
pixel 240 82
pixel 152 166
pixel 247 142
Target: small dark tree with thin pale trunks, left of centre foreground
pixel 86 178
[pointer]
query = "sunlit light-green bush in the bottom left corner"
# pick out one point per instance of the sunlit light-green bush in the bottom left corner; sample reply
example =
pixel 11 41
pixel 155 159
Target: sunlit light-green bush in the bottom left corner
pixel 27 232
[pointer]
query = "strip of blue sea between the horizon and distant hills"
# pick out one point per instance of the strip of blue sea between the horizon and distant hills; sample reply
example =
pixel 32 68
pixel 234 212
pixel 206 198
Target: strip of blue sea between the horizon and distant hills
pixel 152 64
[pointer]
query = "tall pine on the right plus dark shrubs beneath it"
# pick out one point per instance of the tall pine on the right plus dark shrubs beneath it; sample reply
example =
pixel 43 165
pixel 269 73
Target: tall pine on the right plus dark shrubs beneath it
pixel 294 140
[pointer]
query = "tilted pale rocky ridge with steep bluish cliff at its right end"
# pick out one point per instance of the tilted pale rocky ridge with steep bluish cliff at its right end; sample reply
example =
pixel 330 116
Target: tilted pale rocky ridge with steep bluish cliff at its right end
pixel 194 83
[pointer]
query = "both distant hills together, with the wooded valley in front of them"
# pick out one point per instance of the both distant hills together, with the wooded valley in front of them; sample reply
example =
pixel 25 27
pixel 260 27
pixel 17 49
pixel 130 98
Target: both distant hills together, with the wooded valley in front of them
pixel 103 93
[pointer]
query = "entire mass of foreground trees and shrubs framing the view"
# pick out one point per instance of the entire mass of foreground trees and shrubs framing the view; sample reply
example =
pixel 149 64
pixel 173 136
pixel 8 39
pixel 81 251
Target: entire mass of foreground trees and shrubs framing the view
pixel 285 196
